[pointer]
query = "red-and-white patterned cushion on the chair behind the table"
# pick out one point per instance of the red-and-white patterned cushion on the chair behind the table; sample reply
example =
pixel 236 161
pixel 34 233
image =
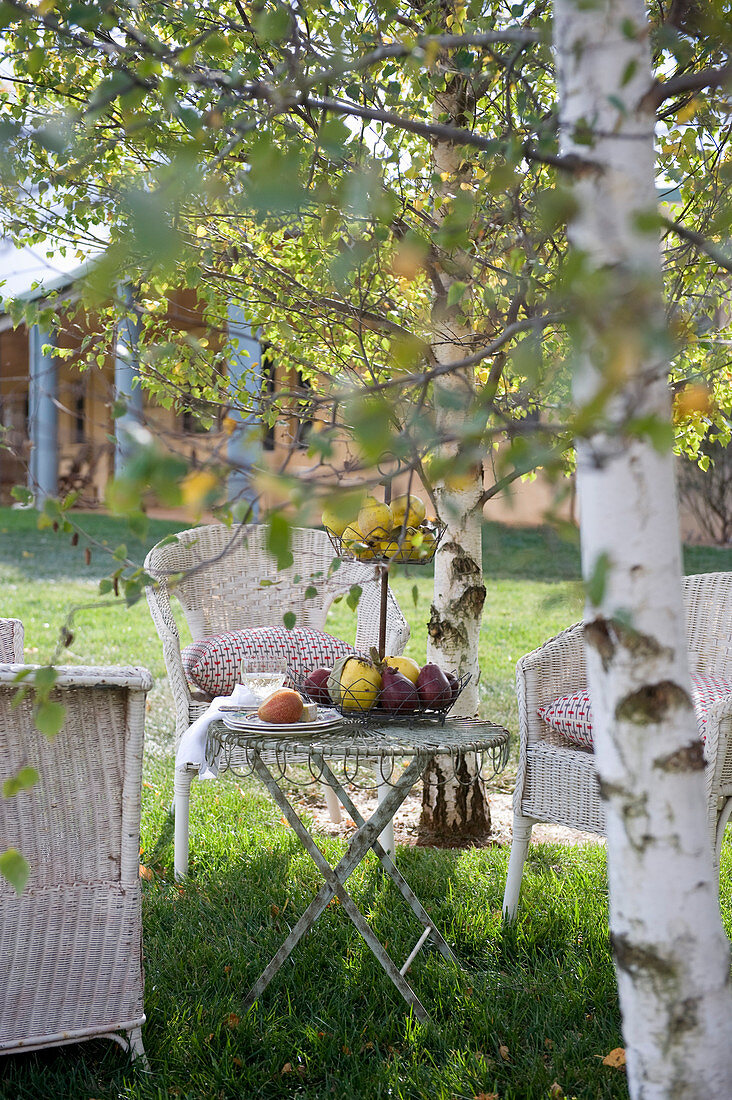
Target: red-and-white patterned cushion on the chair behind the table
pixel 213 664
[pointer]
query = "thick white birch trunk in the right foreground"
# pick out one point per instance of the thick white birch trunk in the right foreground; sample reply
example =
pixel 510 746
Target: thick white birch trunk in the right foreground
pixel 672 955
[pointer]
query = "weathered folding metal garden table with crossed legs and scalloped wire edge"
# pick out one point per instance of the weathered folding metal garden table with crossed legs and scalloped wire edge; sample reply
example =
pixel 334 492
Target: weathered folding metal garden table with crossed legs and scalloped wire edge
pixel 344 758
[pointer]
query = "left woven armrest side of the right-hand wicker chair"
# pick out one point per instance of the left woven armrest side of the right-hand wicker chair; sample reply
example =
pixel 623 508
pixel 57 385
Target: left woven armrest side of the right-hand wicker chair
pixel 556 668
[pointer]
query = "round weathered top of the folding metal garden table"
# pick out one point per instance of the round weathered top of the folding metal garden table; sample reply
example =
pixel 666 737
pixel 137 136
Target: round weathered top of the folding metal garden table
pixel 378 741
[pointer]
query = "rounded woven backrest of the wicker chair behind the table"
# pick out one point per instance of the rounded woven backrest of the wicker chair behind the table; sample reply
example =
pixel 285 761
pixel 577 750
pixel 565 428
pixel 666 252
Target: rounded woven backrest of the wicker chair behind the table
pixel 226 580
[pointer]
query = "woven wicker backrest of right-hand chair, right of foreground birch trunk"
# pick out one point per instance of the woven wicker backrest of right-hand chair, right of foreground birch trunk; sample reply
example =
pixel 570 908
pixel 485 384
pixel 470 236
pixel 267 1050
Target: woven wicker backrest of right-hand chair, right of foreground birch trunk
pixel 708 602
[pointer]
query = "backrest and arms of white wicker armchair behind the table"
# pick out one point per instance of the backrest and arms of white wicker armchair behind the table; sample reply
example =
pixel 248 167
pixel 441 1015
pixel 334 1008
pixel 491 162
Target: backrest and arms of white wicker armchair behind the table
pixel 216 574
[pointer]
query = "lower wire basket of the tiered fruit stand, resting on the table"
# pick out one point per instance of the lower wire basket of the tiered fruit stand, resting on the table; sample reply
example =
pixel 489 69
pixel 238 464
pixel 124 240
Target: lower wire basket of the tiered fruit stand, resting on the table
pixel 362 703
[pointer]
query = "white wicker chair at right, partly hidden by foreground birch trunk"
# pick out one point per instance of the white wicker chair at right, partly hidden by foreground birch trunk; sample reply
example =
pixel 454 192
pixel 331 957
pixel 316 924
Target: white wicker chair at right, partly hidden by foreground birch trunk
pixel 556 782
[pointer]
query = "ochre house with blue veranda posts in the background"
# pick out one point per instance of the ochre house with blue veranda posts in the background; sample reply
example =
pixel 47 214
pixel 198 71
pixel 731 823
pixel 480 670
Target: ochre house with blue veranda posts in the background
pixel 59 433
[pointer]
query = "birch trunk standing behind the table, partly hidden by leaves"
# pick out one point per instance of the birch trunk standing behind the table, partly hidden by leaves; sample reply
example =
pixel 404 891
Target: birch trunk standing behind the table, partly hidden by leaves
pixel 455 808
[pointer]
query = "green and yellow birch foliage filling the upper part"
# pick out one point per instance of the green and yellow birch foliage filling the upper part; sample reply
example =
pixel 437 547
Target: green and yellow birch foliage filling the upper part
pixel 285 159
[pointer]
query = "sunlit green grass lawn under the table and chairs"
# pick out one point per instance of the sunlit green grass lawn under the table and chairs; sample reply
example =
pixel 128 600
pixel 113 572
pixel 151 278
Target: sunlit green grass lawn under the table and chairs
pixel 534 1005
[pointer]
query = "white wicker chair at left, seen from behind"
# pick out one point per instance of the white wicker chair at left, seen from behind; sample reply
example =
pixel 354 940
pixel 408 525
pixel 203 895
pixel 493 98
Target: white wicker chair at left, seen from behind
pixel 71 944
